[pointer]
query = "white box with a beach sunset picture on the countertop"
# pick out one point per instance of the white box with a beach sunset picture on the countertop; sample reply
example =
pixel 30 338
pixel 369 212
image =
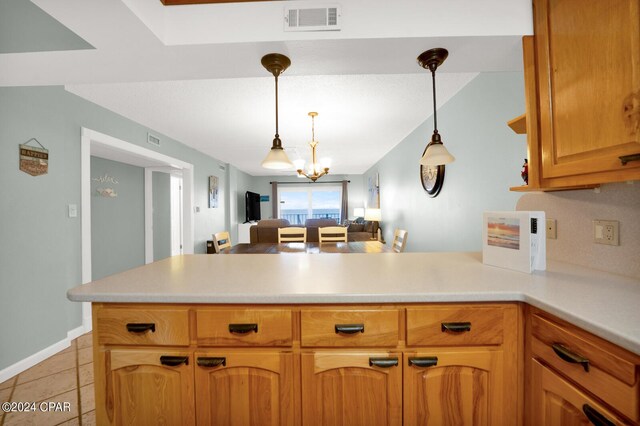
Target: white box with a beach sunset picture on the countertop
pixel 514 240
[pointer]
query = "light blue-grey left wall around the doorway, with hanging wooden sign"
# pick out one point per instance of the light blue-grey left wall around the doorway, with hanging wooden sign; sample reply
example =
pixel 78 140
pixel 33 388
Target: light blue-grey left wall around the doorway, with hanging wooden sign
pixel 40 250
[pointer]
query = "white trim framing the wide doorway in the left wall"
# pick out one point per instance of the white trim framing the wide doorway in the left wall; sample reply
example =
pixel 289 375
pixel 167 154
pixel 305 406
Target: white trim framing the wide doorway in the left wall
pixel 89 138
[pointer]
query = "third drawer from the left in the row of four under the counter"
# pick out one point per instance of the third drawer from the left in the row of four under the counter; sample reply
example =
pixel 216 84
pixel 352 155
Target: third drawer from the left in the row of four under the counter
pixel 344 327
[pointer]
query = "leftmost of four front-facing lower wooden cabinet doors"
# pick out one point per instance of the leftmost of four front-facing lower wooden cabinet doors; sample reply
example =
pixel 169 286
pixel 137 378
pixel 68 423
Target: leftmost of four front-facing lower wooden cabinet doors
pixel 149 387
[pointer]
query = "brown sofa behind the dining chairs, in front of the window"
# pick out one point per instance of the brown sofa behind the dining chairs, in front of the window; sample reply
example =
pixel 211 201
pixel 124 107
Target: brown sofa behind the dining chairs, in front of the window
pixel 266 231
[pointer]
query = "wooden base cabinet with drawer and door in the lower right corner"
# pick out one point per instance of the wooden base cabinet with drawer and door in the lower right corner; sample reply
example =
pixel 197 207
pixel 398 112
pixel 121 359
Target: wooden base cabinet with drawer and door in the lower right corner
pixel 575 375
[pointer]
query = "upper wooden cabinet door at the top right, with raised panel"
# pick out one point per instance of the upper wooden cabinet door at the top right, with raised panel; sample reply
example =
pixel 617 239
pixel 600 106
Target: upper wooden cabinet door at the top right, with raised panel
pixel 588 54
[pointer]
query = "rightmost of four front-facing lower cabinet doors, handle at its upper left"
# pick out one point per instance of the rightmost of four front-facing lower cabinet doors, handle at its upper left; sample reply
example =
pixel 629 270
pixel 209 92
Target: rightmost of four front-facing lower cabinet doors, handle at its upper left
pixel 456 388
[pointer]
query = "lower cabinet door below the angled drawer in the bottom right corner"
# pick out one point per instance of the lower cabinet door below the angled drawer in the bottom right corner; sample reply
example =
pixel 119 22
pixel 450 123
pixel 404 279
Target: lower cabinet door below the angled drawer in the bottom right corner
pixel 557 403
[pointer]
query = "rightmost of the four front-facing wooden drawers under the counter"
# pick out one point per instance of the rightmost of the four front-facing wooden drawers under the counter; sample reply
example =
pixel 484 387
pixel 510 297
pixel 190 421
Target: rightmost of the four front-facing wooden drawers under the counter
pixel 455 325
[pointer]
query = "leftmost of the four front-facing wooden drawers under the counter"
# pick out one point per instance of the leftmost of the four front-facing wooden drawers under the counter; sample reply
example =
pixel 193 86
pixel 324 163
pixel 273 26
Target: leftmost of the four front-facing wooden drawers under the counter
pixel 129 326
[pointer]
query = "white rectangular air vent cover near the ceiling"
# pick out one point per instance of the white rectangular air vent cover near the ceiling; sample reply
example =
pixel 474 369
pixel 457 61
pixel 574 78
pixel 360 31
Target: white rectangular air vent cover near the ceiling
pixel 319 17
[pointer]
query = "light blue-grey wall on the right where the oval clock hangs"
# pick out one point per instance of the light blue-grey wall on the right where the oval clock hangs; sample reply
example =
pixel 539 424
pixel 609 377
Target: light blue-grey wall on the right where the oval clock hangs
pixel 488 155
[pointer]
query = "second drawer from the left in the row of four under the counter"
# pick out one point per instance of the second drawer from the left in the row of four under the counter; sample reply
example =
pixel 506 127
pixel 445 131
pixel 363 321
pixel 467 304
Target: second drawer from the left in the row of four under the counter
pixel 244 327
